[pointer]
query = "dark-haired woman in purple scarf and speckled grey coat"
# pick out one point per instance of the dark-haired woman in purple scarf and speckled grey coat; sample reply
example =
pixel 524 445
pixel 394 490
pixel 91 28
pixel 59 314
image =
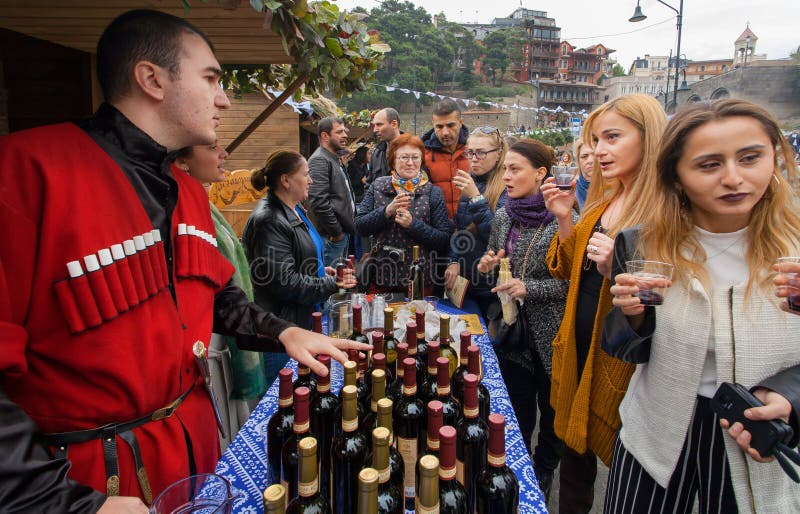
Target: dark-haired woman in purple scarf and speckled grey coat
pixel 522 231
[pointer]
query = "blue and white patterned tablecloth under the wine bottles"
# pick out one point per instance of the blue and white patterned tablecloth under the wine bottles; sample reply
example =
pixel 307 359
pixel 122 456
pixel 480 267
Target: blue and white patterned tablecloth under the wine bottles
pixel 244 463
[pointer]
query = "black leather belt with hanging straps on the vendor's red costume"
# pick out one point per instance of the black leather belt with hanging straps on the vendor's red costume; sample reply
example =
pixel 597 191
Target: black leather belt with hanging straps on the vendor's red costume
pixel 62 440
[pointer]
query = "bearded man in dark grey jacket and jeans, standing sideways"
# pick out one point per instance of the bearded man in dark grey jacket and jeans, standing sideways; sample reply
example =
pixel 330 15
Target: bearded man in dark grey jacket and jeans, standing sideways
pixel 331 205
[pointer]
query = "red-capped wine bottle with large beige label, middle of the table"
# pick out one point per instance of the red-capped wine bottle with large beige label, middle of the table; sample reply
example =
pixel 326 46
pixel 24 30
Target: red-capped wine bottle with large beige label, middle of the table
pixel 408 426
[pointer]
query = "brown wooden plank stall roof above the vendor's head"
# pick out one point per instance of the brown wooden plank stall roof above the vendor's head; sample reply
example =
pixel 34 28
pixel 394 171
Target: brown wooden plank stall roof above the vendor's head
pixel 238 35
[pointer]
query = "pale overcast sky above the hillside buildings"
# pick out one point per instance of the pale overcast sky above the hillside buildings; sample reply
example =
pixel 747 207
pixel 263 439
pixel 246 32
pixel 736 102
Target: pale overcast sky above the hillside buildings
pixel 709 26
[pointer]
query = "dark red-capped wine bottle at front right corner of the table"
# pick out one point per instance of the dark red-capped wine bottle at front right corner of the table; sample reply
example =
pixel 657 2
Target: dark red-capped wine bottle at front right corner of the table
pixel 496 487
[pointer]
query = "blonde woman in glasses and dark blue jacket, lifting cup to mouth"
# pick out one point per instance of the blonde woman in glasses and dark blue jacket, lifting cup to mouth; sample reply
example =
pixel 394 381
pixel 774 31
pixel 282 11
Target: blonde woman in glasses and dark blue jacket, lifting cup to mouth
pixel 482 193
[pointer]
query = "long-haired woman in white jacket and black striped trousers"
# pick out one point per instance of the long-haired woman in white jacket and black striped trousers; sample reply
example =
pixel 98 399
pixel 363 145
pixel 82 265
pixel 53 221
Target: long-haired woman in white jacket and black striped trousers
pixel 722 214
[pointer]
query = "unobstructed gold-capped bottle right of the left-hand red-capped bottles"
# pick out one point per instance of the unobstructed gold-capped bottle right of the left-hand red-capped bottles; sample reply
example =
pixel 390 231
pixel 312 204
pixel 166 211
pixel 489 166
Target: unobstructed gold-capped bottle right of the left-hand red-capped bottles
pixel 348 454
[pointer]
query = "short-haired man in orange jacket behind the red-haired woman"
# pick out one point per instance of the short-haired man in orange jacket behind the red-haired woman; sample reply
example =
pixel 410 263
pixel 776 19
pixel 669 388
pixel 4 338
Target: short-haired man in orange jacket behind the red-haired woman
pixel 444 147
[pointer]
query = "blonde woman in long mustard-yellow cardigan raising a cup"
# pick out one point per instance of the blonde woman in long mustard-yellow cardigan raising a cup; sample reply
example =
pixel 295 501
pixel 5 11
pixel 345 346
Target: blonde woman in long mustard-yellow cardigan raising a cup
pixel 587 384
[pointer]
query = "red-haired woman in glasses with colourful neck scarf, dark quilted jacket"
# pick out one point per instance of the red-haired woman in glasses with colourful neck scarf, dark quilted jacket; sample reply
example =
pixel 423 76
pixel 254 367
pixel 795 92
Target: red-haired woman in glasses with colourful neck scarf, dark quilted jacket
pixel 401 211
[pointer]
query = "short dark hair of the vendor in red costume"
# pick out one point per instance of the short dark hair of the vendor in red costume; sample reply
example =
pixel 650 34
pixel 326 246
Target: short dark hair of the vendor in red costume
pixel 140 35
